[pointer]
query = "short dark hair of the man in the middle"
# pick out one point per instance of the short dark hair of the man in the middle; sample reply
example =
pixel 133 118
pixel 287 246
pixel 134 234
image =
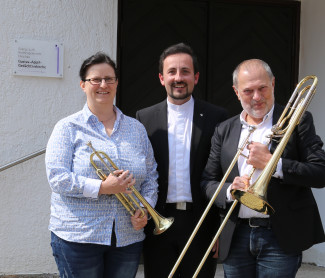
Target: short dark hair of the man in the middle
pixel 175 49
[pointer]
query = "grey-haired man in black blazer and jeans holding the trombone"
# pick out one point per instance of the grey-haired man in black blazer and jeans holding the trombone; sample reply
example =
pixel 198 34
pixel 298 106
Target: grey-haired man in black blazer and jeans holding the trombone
pixel 253 244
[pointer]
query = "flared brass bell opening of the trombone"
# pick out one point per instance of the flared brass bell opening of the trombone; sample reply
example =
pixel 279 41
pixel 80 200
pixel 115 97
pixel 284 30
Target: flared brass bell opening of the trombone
pixel 253 201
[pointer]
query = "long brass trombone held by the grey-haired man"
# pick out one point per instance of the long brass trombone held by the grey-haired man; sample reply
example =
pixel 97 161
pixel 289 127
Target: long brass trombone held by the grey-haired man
pixel 255 196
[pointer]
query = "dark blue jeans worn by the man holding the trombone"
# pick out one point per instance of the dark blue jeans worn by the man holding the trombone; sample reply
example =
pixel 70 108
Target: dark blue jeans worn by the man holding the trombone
pixel 255 253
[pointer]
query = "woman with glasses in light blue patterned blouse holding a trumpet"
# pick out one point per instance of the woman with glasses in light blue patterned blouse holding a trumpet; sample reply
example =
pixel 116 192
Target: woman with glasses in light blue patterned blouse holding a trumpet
pixel 92 234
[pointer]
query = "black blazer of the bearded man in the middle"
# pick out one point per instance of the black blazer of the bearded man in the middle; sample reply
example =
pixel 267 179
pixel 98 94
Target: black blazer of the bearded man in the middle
pixel 205 117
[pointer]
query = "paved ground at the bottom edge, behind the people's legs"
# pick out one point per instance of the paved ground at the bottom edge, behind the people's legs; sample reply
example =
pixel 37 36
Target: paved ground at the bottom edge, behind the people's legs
pixel 306 271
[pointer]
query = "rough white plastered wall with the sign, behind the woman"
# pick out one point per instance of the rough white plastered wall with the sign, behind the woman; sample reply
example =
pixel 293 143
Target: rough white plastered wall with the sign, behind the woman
pixel 29 108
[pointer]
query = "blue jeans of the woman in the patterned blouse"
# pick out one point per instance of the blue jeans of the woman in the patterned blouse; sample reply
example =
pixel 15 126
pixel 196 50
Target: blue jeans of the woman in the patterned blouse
pixel 83 260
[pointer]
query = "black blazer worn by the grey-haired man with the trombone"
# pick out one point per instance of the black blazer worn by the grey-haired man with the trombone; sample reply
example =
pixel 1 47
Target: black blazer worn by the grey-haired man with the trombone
pixel 296 222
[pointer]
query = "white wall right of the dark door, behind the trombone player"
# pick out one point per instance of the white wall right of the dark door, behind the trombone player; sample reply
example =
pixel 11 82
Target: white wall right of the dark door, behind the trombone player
pixel 312 62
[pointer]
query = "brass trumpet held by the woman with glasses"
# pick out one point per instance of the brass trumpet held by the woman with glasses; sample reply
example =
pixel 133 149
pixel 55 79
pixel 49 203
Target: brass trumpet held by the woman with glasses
pixel 128 200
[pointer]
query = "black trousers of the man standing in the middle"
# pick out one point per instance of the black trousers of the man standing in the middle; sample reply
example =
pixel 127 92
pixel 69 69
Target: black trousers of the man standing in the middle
pixel 161 252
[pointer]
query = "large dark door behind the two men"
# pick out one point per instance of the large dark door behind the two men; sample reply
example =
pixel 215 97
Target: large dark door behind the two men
pixel 222 34
